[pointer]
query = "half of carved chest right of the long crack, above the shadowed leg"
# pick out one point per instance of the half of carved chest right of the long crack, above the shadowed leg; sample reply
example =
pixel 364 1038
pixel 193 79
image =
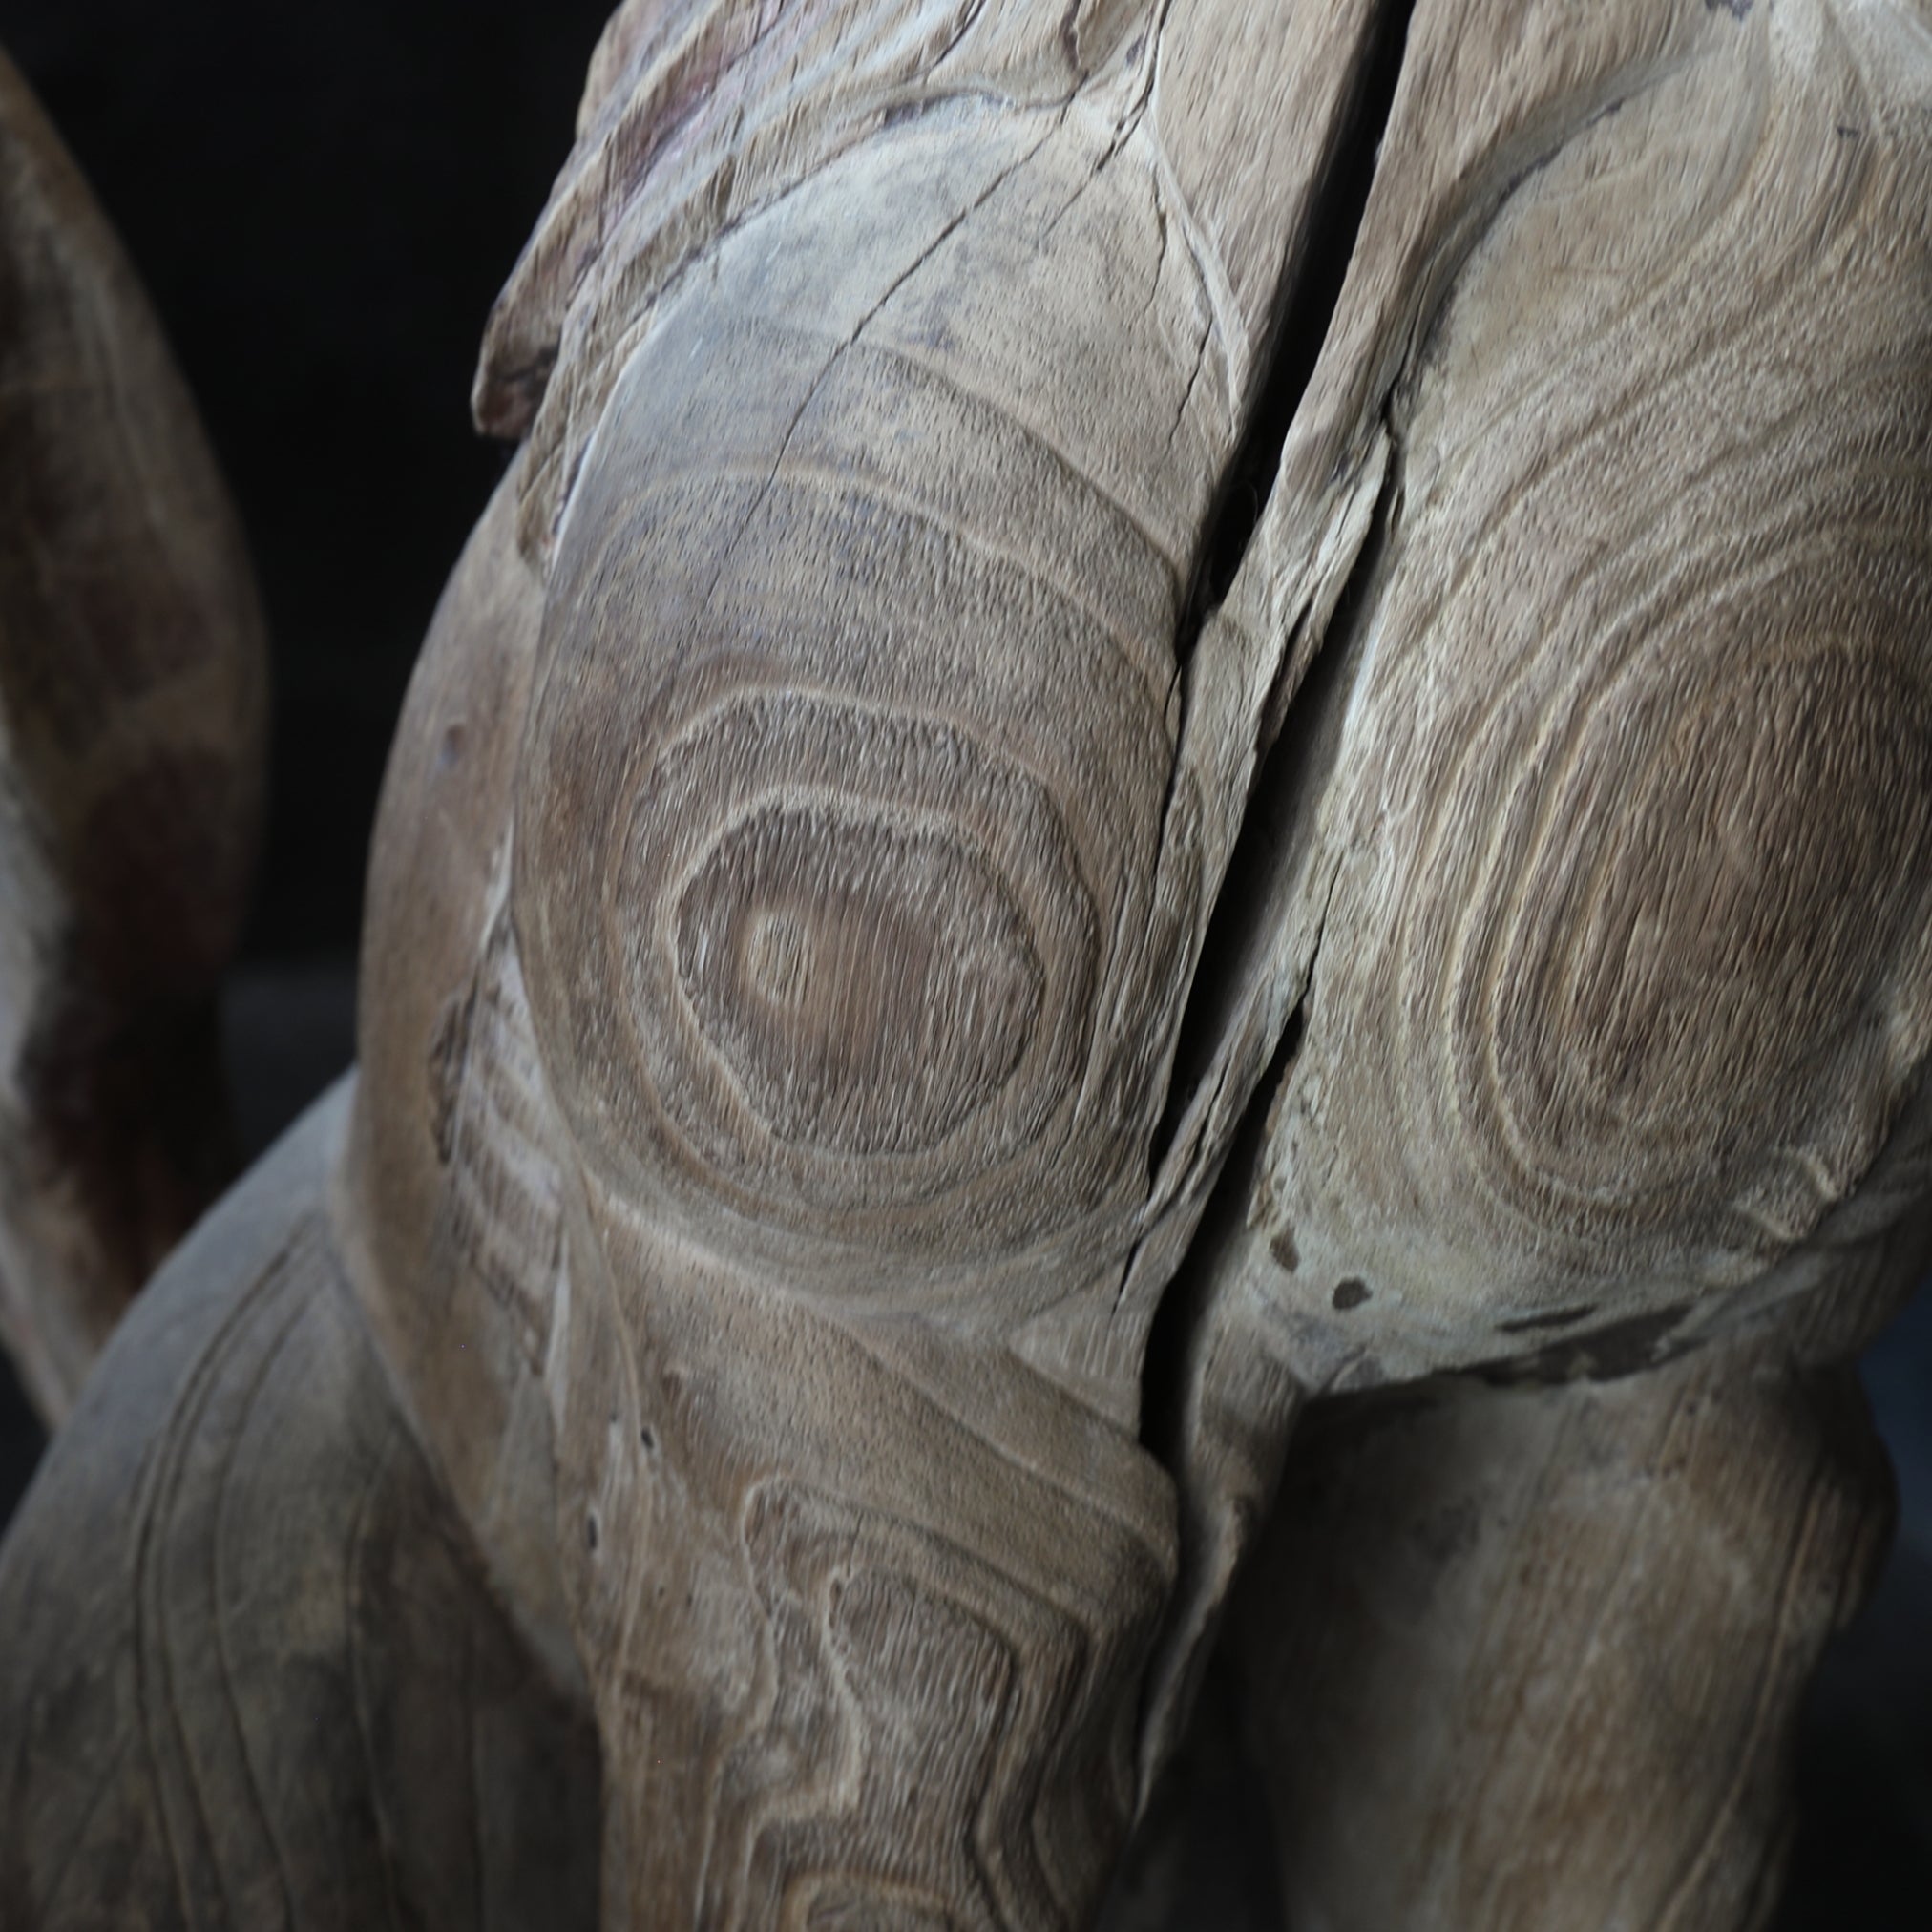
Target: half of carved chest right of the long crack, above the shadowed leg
pixel 1593 863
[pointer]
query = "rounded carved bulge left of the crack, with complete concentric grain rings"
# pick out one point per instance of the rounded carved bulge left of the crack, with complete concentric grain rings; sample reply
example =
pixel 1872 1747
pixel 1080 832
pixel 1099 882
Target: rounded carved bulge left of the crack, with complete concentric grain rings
pixel 865 693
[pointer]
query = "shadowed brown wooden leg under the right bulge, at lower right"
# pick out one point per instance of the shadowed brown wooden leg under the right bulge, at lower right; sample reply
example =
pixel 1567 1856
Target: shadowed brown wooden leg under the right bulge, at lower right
pixel 1529 1659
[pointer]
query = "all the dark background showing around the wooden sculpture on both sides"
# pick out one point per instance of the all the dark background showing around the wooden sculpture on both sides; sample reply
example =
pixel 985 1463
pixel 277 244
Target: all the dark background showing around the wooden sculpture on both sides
pixel 324 204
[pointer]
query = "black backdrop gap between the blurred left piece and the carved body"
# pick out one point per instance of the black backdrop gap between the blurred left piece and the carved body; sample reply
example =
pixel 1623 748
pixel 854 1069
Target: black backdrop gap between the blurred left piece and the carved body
pixel 324 202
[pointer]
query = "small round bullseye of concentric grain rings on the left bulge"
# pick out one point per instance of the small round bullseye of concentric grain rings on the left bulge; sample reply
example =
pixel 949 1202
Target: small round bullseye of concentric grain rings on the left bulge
pixel 836 936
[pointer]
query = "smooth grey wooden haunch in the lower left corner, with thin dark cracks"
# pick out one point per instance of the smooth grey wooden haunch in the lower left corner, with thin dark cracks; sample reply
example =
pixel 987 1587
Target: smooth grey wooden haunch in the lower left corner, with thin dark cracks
pixel 250 1674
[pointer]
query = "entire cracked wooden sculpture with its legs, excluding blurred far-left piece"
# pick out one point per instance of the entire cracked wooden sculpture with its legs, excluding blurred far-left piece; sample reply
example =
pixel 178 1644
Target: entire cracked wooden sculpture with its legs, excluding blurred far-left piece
pixel 1193 756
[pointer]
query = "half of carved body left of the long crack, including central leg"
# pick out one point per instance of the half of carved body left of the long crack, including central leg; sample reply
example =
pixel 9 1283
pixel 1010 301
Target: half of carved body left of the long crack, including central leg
pixel 787 1178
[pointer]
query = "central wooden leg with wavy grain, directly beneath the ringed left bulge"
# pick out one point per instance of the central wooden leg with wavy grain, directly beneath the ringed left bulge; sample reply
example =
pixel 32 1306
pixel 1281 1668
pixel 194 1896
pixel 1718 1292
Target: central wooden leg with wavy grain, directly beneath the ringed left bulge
pixel 843 1676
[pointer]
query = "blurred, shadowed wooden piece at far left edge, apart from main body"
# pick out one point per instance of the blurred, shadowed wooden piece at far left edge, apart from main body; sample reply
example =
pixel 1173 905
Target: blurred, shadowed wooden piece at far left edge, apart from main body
pixel 132 729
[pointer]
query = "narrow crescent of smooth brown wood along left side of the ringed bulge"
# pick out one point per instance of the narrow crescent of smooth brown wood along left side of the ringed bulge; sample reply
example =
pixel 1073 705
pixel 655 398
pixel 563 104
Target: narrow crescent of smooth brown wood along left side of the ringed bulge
pixel 453 1174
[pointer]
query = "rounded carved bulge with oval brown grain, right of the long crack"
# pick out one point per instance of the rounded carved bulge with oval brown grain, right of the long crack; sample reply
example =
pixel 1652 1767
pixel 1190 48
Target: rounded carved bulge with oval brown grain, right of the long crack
pixel 1626 791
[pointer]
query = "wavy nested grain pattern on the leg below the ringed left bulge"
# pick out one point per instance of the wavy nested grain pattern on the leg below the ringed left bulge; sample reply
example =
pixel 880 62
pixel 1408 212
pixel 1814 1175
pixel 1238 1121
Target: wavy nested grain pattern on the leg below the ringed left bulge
pixel 851 1804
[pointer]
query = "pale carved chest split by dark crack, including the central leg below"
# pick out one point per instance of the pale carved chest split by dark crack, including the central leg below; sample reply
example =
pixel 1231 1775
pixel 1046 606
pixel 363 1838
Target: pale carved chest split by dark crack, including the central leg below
pixel 911 838
